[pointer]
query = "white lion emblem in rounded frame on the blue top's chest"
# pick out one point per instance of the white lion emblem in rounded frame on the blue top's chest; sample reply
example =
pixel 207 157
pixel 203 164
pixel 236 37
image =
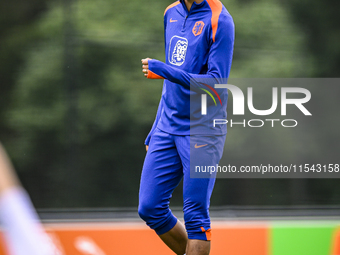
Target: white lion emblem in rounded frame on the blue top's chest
pixel 178 50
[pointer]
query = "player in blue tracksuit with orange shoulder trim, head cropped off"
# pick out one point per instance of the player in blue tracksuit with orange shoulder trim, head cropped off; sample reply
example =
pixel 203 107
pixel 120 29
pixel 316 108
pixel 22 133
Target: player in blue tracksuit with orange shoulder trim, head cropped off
pixel 199 41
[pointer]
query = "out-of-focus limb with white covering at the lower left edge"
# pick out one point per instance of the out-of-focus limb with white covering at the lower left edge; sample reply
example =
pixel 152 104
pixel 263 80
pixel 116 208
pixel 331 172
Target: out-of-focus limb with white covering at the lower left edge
pixel 23 233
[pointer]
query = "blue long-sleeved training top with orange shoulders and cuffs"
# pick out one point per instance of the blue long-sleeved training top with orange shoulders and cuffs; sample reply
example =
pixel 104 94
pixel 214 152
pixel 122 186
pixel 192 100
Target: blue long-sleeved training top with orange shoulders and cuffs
pixel 198 47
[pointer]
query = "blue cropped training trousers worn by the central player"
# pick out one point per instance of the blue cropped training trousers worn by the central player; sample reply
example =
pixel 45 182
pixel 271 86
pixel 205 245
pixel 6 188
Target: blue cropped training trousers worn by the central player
pixel 166 163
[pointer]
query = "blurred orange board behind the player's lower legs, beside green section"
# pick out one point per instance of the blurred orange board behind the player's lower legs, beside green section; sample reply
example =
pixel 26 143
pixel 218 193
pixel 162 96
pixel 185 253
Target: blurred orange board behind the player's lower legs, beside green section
pixel 137 238
